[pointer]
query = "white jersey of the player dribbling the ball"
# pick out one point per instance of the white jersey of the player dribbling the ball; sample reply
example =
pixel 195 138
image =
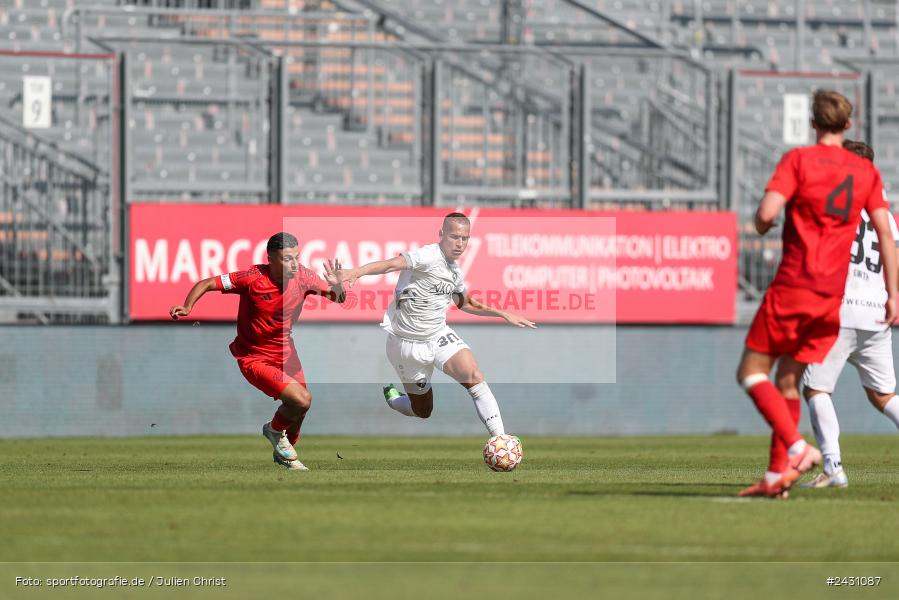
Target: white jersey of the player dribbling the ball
pixel 423 294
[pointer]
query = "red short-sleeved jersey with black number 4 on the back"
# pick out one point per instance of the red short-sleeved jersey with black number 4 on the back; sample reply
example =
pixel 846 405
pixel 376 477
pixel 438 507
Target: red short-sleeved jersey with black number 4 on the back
pixel 826 188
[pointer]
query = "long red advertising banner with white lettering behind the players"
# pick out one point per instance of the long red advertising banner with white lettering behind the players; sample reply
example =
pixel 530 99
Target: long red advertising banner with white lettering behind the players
pixel 550 266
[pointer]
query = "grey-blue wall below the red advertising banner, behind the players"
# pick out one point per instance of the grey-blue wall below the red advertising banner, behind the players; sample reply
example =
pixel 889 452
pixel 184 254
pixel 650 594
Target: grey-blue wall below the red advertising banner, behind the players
pixel 180 379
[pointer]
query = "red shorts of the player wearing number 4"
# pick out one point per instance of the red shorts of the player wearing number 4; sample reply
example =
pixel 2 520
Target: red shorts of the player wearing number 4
pixel 795 321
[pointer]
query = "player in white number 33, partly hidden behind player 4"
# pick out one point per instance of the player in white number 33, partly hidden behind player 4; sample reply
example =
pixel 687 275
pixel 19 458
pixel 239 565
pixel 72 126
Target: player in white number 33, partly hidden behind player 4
pixel 865 342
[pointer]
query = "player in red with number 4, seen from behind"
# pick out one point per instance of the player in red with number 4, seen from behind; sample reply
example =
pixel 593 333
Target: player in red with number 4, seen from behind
pixel 823 188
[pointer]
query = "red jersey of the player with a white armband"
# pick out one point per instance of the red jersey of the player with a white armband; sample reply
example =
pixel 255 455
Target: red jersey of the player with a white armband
pixel 267 312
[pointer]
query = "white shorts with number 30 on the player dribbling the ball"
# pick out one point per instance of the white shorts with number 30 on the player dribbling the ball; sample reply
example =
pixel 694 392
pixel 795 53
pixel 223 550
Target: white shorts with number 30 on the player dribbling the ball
pixel 414 360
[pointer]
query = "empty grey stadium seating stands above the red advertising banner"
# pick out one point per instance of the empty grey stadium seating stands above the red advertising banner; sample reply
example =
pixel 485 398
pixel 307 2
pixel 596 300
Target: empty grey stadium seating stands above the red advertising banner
pixel 357 121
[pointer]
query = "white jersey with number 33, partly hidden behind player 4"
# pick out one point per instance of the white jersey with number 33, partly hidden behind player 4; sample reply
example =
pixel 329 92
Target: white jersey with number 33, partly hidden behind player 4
pixel 866 294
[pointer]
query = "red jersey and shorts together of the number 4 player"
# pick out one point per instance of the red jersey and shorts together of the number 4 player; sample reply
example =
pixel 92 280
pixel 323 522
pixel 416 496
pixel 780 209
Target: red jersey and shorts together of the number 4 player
pixel 826 188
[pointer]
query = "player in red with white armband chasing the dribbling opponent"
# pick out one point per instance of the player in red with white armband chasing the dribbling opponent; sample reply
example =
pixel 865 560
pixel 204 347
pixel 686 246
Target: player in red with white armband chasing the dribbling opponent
pixel 271 298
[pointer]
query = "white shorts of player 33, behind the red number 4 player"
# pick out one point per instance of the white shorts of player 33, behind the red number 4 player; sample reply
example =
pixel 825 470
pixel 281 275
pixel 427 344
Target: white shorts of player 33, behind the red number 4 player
pixel 870 352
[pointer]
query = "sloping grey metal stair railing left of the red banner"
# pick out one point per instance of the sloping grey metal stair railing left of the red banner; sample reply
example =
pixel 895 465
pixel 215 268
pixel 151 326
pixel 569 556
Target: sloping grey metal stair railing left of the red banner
pixel 56 244
